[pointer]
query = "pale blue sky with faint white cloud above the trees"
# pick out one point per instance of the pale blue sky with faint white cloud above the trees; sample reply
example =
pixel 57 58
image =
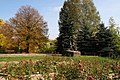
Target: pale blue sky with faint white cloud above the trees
pixel 50 9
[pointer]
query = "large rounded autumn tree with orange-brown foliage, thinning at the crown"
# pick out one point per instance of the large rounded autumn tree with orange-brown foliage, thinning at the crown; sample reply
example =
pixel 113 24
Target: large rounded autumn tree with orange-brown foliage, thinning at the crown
pixel 29 28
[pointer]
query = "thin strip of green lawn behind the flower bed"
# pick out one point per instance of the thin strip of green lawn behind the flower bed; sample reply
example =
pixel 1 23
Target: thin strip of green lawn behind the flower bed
pixel 20 58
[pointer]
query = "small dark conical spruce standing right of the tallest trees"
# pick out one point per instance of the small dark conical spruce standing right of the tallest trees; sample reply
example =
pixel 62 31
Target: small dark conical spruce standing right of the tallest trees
pixel 104 37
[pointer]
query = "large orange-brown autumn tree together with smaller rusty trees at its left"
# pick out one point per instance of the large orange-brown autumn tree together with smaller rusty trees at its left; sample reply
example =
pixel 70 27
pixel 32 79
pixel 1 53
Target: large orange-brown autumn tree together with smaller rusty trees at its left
pixel 26 31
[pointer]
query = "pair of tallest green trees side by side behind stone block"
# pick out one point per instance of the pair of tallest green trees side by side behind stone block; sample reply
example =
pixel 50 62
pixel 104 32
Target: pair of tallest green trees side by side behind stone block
pixel 79 20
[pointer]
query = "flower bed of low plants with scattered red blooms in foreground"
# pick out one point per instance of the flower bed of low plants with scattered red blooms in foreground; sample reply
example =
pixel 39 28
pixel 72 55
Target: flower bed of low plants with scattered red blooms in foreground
pixel 63 68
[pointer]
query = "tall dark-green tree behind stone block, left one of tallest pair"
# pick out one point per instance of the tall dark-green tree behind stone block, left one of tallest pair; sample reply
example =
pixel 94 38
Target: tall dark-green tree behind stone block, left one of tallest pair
pixel 68 25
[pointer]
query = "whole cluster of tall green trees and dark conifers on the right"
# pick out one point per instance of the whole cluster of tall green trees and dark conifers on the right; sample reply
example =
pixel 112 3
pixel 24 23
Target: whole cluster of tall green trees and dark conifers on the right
pixel 81 29
